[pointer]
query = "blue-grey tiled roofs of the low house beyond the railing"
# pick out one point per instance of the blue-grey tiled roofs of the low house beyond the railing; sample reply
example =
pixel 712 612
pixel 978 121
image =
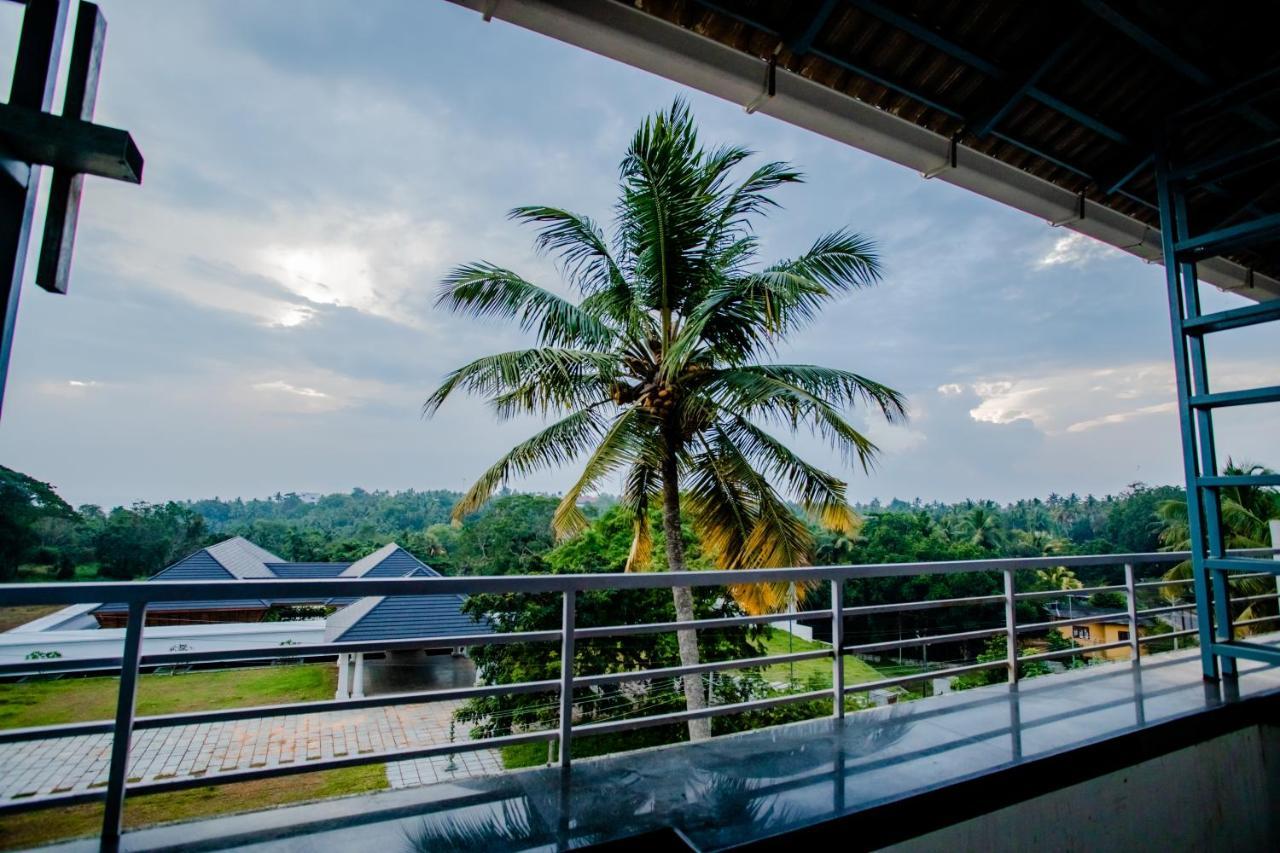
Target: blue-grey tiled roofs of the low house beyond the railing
pixel 359 619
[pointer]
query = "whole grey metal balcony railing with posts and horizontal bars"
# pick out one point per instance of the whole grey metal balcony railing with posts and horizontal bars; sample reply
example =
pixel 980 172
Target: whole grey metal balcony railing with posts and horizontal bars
pixel 139 596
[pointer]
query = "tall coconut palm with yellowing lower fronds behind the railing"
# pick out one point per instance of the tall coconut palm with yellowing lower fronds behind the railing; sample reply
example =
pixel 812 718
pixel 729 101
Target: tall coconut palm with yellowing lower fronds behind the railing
pixel 660 366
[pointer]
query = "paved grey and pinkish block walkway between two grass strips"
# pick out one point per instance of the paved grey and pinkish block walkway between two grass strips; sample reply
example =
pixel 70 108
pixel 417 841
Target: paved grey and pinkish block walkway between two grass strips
pixel 60 765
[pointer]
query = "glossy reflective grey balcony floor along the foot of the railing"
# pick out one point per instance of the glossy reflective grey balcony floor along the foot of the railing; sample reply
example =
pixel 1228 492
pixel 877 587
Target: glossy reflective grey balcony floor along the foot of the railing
pixel 995 746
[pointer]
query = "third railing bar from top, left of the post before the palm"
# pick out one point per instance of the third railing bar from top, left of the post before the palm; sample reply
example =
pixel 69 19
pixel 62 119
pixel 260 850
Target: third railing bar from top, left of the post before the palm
pixel 264 711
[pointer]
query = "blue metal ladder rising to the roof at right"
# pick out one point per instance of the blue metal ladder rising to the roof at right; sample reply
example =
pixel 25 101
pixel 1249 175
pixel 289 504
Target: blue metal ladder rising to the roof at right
pixel 1212 567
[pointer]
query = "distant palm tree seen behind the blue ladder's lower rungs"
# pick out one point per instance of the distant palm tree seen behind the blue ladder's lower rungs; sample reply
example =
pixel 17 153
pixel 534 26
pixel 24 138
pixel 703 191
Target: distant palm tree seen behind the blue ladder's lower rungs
pixel 1246 513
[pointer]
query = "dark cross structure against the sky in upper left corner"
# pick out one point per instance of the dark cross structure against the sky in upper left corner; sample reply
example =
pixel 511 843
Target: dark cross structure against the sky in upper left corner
pixel 31 136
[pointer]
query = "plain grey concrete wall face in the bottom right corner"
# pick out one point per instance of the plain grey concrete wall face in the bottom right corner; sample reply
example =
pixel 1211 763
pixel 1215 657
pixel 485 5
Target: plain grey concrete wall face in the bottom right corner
pixel 1223 795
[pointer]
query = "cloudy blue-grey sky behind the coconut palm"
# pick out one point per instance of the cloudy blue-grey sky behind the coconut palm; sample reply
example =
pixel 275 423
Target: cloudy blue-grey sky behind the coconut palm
pixel 258 317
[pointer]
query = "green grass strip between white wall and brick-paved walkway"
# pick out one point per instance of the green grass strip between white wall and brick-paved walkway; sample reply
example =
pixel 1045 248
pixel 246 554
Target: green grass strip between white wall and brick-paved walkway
pixel 42 704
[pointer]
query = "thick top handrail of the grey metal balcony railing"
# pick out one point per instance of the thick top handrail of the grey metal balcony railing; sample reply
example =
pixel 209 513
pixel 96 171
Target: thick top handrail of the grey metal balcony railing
pixel 175 591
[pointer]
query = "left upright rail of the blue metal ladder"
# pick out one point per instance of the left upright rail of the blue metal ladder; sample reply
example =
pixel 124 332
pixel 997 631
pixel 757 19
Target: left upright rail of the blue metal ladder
pixel 1187 426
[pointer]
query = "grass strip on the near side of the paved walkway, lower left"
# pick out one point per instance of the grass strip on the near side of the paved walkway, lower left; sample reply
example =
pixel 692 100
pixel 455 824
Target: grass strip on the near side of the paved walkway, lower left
pixel 43 827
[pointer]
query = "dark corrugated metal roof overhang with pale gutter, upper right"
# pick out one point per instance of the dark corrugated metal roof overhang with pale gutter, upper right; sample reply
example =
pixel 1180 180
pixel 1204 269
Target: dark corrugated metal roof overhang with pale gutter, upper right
pixel 1055 110
